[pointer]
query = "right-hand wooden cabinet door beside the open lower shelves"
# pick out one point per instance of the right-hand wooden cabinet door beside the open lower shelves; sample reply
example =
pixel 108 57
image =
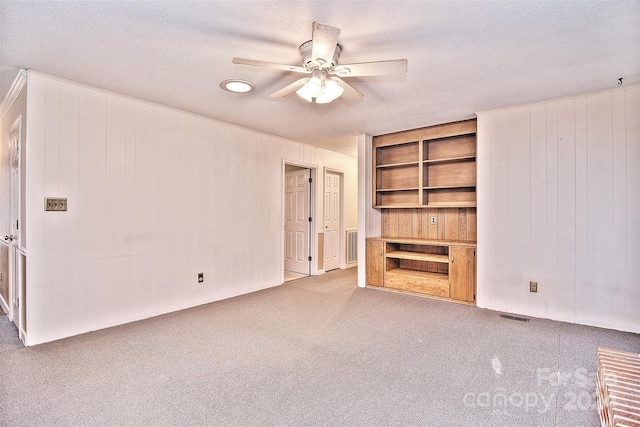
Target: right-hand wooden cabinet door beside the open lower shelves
pixel 462 273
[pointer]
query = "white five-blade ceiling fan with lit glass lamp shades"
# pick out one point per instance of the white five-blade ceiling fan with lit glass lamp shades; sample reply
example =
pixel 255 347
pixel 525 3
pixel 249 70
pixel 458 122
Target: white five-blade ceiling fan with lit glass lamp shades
pixel 320 62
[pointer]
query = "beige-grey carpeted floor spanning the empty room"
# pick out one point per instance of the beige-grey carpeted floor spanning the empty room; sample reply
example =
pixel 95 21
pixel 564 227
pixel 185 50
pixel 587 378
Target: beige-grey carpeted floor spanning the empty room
pixel 315 351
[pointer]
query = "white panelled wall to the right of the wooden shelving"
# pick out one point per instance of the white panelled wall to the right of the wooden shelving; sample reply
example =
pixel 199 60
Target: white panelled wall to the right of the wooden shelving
pixel 559 203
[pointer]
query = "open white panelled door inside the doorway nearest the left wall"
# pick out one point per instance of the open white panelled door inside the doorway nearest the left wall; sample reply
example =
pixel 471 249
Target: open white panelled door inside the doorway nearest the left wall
pixel 296 221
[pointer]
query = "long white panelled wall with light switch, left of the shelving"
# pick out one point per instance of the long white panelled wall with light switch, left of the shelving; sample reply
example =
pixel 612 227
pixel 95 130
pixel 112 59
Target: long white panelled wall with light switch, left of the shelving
pixel 155 196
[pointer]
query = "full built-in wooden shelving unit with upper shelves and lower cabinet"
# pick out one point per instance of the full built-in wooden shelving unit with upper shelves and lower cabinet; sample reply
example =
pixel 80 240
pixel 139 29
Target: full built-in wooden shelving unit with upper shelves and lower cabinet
pixel 421 177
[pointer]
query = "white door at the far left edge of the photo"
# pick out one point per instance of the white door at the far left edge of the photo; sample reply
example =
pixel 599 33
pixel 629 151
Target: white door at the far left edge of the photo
pixel 15 253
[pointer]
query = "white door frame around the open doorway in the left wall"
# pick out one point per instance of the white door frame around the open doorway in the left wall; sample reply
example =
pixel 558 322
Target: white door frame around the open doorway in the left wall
pixel 313 249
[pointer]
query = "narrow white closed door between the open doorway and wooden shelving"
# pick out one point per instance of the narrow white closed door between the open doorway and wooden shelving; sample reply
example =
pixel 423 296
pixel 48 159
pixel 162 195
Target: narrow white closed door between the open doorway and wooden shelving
pixel 331 220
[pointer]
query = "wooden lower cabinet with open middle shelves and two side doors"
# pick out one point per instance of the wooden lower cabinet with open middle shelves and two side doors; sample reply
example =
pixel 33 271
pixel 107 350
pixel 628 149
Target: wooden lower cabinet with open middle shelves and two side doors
pixel 434 268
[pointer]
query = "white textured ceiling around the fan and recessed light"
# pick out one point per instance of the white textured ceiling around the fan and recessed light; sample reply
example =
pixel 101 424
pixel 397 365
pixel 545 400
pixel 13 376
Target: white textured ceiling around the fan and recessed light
pixel 463 56
